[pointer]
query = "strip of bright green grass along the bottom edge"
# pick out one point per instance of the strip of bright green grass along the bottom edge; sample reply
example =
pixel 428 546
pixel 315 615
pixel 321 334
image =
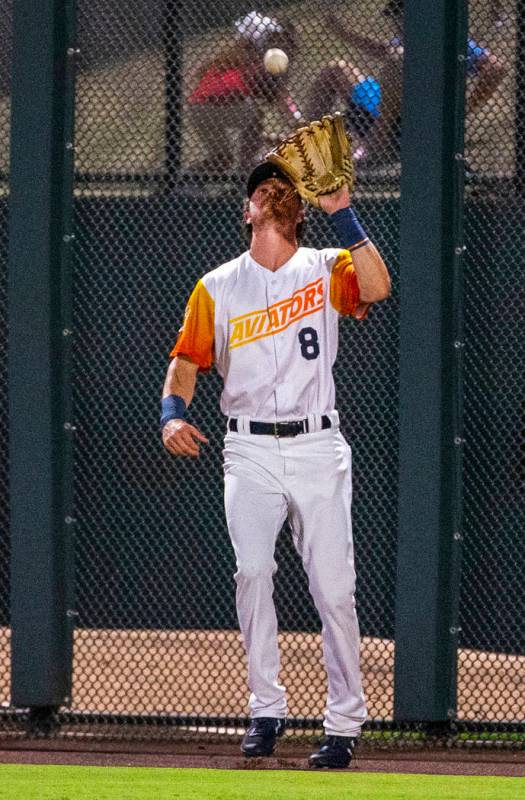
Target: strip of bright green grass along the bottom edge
pixel 27 782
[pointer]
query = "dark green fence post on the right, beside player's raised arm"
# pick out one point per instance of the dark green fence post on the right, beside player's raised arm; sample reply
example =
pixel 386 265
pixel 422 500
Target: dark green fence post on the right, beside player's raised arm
pixel 430 361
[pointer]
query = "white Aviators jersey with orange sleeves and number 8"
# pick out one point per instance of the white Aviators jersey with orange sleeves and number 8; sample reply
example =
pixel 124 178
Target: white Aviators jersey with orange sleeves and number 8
pixel 272 335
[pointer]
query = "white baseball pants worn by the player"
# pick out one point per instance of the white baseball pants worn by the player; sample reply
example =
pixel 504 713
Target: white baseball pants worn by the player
pixel 306 478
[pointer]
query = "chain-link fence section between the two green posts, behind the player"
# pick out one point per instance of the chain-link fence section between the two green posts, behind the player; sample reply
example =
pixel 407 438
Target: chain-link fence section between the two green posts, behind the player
pixel 159 139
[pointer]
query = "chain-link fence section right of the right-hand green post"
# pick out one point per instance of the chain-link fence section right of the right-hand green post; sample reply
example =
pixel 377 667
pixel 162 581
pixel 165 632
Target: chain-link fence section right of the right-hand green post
pixel 492 607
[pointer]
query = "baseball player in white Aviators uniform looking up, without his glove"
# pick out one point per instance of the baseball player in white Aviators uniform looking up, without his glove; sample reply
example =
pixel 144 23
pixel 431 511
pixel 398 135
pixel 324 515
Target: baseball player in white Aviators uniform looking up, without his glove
pixel 268 321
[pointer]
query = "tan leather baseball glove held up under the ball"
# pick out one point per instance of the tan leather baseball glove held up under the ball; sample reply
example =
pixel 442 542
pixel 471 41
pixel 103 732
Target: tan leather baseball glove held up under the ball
pixel 317 158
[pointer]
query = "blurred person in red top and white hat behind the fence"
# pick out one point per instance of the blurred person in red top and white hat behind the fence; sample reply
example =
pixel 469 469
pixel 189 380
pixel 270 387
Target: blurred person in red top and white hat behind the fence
pixel 227 104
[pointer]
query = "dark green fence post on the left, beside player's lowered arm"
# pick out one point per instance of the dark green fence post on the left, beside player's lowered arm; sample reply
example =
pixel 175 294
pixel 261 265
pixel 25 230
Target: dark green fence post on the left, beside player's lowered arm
pixel 40 428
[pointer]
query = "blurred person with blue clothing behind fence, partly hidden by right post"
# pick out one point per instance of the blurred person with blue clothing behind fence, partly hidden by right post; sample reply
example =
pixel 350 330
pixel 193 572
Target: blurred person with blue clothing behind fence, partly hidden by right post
pixel 373 103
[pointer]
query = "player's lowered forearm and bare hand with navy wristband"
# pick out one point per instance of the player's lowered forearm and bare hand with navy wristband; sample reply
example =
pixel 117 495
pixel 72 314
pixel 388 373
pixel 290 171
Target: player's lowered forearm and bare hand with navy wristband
pixel 178 436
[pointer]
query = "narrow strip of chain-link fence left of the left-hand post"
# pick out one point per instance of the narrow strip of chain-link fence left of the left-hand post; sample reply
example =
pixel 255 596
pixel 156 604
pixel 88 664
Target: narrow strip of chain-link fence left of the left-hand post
pixel 5 75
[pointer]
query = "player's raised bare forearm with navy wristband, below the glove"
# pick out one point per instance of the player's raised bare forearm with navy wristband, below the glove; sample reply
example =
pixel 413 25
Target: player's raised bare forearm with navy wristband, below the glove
pixel 372 274
